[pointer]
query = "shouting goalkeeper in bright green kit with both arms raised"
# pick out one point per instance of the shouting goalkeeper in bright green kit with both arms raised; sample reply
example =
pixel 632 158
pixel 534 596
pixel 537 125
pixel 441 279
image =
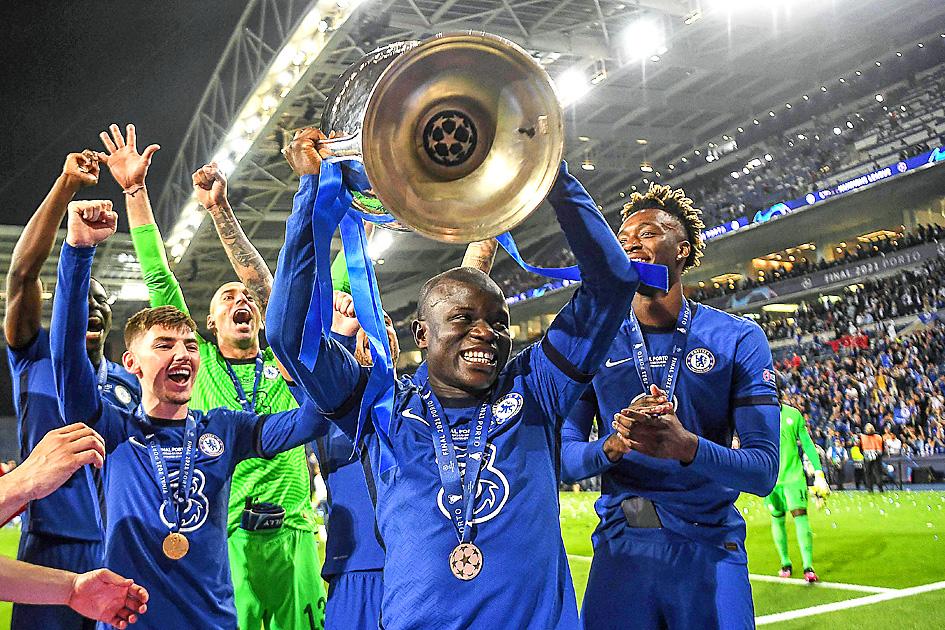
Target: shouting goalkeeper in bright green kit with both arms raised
pixel 273 549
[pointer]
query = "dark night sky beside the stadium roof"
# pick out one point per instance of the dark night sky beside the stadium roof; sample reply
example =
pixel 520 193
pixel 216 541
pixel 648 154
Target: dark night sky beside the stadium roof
pixel 71 68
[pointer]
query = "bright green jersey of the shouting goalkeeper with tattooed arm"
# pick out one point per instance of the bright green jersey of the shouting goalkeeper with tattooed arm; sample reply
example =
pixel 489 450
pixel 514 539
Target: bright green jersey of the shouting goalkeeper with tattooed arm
pixel 284 479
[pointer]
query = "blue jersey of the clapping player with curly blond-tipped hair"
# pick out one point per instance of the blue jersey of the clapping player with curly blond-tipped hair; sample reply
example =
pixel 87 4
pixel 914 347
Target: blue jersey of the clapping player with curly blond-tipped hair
pixel 726 363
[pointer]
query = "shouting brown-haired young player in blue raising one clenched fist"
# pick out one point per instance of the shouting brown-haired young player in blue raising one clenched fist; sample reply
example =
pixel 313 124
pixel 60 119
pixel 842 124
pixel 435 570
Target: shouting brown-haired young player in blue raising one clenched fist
pixel 168 469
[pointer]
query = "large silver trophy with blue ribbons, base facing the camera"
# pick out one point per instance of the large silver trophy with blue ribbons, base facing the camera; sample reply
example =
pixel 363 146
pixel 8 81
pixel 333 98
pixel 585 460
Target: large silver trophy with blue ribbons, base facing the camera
pixel 460 136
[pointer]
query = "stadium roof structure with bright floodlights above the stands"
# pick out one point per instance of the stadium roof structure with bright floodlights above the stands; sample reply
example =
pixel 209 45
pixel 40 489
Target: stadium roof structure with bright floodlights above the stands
pixel 716 65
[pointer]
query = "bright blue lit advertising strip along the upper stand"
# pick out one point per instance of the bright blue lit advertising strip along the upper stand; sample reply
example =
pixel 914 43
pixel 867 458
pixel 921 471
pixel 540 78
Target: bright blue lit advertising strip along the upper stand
pixel 923 160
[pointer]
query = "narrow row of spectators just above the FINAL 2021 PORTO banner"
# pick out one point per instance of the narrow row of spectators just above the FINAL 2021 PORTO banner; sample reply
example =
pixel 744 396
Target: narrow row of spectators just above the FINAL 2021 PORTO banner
pixel 861 251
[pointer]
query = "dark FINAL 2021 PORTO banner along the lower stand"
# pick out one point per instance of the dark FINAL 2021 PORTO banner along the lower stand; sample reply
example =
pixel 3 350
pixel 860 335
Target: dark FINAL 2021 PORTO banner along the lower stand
pixel 850 273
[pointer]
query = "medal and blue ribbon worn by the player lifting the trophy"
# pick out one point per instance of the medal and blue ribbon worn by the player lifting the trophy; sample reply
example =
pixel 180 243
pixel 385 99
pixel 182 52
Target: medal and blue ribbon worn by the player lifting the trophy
pixel 466 559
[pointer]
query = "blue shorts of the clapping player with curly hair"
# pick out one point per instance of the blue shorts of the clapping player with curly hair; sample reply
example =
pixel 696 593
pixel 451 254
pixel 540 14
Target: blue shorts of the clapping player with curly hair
pixel 660 580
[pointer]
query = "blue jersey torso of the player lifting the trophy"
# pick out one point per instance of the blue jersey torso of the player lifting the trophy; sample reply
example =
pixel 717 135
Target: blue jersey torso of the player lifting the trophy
pixel 516 524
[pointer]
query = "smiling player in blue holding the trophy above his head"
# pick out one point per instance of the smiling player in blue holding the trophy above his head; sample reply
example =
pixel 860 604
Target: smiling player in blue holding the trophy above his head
pixel 509 569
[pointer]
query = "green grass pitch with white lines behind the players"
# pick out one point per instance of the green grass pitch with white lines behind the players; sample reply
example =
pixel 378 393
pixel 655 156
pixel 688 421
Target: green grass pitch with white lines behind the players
pixel 895 540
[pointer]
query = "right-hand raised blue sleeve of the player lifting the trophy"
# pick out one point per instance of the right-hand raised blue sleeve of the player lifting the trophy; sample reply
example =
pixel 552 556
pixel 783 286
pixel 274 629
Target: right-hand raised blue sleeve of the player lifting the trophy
pixel 581 334
